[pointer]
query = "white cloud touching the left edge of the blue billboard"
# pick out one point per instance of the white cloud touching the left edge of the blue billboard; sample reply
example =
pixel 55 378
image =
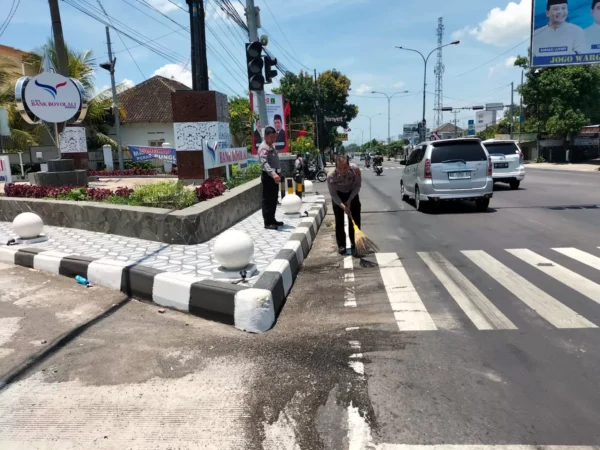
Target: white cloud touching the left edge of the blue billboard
pixel 502 26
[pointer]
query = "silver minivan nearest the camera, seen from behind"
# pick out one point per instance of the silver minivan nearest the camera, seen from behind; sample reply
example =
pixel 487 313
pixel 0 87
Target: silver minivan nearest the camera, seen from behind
pixel 452 169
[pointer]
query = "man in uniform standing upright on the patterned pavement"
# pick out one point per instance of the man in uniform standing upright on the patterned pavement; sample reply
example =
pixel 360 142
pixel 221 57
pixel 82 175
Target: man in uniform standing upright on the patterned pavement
pixel 270 177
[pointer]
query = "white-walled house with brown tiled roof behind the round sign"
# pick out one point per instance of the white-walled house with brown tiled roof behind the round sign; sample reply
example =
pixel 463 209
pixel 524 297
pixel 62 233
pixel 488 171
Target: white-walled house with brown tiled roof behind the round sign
pixel 148 112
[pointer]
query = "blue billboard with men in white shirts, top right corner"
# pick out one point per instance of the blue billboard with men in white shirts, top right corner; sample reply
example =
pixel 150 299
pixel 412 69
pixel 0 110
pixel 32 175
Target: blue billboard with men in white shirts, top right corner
pixel 565 32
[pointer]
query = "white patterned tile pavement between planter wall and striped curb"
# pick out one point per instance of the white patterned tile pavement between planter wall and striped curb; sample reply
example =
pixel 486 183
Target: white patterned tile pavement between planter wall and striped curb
pixel 196 260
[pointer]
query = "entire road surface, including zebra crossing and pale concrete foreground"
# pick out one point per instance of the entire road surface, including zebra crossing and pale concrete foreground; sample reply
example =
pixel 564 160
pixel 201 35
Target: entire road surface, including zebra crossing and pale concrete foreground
pixel 418 345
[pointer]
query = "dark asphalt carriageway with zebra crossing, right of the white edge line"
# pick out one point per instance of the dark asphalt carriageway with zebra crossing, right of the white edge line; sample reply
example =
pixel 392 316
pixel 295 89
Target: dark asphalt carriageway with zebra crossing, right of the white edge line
pixel 473 328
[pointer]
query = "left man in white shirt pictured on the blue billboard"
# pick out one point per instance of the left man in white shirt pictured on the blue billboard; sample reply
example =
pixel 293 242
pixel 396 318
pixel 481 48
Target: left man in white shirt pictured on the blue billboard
pixel 558 37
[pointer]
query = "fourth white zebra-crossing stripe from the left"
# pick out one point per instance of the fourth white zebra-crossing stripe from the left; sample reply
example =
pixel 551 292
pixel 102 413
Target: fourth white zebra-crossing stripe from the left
pixel 575 281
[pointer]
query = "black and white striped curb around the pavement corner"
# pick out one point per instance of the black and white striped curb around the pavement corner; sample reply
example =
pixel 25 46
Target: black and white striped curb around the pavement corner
pixel 252 309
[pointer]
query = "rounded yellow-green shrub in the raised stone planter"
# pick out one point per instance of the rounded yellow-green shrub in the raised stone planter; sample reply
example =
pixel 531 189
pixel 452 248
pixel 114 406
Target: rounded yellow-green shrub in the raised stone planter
pixel 164 194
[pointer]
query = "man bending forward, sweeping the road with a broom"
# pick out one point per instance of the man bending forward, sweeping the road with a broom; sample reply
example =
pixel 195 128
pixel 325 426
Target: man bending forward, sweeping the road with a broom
pixel 344 183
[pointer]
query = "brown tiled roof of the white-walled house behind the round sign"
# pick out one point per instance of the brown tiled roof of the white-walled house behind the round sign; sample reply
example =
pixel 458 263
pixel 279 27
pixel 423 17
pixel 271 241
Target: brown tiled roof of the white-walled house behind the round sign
pixel 150 101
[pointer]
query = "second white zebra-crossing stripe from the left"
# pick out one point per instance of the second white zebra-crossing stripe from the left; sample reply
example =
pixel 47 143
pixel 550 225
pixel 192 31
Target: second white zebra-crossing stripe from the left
pixel 482 312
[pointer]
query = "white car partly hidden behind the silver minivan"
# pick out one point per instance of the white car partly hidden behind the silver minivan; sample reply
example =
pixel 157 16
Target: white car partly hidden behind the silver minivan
pixel 507 162
